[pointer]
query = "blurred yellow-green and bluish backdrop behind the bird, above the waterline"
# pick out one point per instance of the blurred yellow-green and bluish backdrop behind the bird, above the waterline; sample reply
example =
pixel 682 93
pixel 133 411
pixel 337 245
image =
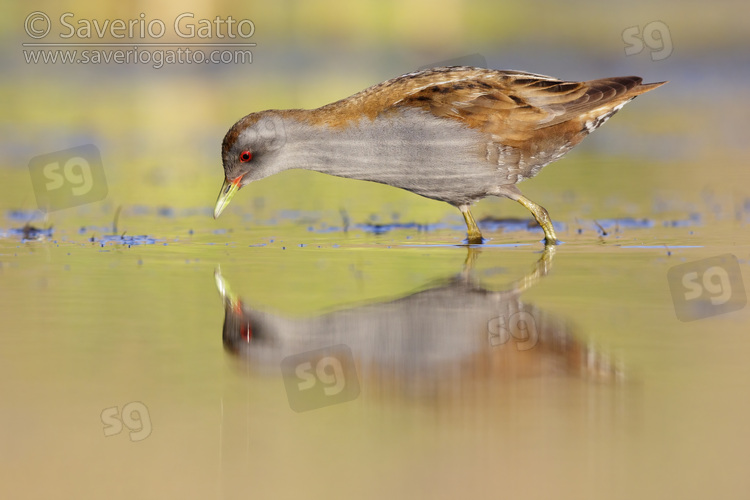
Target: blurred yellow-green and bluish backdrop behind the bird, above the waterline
pixel 159 130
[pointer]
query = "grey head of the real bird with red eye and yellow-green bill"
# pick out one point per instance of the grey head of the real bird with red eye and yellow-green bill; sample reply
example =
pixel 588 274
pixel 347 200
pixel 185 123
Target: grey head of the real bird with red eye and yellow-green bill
pixel 251 151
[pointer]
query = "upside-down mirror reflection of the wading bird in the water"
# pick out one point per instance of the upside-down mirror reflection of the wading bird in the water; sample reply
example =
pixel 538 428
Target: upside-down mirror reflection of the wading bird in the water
pixel 437 340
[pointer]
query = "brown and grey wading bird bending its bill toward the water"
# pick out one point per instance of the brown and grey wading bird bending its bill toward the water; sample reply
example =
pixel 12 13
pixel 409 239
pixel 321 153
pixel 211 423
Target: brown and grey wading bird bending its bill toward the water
pixel 455 134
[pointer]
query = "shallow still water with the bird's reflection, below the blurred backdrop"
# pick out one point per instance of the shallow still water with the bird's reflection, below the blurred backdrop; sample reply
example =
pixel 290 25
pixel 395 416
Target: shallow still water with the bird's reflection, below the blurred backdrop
pixel 557 374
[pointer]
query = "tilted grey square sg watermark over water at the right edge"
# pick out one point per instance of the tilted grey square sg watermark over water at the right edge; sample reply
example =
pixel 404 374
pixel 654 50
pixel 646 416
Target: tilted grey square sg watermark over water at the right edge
pixel 707 287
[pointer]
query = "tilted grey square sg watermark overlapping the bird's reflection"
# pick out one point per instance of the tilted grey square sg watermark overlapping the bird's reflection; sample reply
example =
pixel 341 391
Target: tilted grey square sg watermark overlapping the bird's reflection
pixel 320 378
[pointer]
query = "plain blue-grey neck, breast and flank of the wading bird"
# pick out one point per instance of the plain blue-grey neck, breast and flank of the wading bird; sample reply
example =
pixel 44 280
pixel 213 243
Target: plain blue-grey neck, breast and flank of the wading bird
pixel 434 157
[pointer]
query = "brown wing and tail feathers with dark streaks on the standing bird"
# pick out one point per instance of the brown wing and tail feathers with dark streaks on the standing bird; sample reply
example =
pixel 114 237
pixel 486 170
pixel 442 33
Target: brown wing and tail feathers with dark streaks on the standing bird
pixel 514 106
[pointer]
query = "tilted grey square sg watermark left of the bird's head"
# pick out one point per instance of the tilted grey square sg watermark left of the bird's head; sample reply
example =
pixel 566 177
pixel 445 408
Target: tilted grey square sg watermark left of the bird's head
pixel 68 178
